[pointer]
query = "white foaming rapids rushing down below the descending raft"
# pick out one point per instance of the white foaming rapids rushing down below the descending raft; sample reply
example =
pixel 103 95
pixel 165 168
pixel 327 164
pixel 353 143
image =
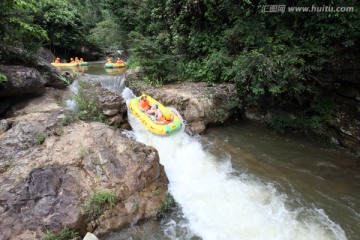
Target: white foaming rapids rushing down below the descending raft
pixel 221 206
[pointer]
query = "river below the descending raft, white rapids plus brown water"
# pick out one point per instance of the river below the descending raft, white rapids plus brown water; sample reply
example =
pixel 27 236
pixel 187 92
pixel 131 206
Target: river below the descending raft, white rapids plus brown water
pixel 242 181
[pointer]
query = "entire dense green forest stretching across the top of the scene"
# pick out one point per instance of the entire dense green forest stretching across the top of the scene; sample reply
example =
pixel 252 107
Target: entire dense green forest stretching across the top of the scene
pixel 284 60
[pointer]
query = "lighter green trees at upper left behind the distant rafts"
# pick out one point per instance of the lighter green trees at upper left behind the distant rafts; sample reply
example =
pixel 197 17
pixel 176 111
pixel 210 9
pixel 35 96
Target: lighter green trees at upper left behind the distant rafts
pixel 67 27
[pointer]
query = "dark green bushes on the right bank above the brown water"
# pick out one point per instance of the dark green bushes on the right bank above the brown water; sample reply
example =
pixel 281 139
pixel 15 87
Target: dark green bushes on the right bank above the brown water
pixel 285 61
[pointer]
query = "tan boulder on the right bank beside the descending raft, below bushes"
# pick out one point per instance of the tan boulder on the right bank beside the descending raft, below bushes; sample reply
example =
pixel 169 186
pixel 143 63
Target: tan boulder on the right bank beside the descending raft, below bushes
pixel 199 104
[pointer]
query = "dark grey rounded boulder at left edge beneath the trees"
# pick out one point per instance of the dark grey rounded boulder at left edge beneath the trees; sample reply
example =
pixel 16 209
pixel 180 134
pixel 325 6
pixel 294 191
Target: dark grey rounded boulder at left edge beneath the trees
pixel 21 81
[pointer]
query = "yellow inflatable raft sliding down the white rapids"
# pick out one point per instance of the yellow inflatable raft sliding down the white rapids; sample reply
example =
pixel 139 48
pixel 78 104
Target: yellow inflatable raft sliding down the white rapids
pixel 159 129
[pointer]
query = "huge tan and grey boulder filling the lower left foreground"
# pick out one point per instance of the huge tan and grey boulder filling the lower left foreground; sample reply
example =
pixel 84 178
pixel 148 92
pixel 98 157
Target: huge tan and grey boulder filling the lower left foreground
pixel 50 168
